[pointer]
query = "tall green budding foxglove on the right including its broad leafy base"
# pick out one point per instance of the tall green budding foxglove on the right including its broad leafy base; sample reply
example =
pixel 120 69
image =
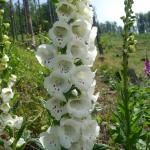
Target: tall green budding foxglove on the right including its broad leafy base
pixel 128 118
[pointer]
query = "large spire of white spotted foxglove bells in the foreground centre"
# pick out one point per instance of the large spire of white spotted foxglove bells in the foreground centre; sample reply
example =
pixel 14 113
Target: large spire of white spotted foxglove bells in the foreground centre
pixel 71 82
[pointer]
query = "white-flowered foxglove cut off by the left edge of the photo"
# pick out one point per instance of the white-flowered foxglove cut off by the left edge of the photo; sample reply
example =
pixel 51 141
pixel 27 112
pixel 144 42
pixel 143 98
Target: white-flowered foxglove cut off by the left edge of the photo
pixel 9 123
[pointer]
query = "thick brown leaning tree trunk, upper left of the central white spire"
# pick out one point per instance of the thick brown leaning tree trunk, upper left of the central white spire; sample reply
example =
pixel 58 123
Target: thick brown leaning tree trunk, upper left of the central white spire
pixel 29 21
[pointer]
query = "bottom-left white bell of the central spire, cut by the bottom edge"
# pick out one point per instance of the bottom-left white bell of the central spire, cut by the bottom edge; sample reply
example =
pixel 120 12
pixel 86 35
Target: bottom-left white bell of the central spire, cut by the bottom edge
pixel 50 140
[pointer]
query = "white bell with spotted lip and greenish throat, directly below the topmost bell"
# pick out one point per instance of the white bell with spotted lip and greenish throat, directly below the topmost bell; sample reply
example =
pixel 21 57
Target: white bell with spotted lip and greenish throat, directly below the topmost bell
pixel 60 34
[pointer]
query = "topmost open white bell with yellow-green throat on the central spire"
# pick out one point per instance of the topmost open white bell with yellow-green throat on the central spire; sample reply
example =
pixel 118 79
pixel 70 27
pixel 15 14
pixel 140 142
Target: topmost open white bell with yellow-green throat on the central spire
pixel 65 11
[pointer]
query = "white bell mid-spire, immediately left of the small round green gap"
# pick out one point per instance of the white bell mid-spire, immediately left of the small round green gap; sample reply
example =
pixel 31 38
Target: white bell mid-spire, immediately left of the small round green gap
pixel 64 64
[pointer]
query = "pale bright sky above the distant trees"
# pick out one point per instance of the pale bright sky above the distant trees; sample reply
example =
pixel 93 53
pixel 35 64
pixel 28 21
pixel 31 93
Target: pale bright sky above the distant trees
pixel 112 10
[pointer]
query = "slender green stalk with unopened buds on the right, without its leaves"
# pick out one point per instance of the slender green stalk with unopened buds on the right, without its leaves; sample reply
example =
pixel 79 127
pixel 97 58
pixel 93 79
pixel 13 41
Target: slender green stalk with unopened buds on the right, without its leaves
pixel 128 23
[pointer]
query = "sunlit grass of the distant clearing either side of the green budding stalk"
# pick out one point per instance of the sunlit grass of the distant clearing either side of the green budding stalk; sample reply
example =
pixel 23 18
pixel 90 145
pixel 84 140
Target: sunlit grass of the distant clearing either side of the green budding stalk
pixel 112 44
